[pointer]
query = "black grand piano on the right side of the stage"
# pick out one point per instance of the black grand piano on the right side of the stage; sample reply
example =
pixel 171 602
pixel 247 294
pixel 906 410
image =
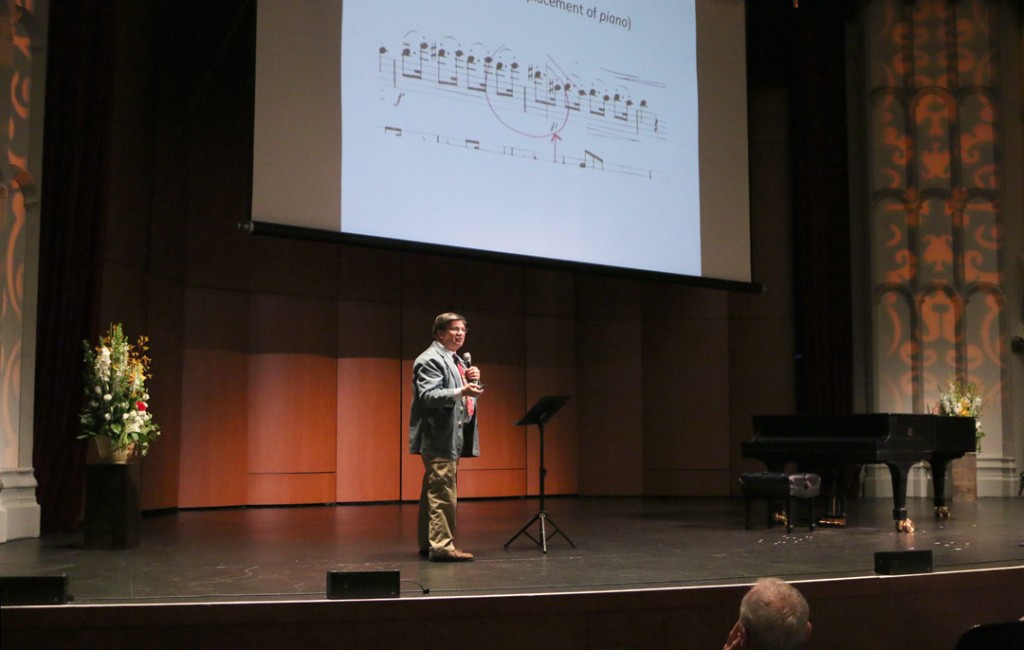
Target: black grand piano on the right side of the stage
pixel 900 441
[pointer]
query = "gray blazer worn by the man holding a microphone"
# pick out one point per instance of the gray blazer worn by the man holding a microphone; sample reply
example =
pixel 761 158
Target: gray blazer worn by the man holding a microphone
pixel 438 424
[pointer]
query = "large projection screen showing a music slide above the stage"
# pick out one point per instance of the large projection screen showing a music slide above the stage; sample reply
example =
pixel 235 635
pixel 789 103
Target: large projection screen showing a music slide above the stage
pixel 611 136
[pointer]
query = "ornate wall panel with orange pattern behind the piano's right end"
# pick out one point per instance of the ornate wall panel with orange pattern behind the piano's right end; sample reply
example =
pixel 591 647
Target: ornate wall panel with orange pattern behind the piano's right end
pixel 935 215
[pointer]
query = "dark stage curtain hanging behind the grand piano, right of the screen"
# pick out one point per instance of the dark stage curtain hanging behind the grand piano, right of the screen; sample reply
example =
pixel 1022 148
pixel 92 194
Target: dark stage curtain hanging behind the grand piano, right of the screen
pixel 803 51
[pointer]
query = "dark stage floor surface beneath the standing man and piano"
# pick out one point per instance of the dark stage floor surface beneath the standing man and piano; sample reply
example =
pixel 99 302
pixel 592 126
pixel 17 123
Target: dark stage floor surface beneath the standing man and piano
pixel 254 554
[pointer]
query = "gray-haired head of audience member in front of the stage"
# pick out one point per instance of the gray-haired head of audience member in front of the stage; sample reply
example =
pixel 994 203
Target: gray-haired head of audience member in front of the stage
pixel 774 616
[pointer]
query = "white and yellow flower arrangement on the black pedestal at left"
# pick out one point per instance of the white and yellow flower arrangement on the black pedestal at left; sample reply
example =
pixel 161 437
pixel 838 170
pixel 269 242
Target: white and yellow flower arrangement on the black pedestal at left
pixel 116 401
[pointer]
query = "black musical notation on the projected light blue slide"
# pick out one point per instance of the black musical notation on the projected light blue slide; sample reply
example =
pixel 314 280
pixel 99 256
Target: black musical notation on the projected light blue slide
pixel 538 101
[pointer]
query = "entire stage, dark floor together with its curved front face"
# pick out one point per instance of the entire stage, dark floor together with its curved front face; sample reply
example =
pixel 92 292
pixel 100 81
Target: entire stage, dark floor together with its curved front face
pixel 645 574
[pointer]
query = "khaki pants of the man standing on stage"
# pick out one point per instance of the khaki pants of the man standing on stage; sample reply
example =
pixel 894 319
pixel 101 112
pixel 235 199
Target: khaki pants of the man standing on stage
pixel 439 499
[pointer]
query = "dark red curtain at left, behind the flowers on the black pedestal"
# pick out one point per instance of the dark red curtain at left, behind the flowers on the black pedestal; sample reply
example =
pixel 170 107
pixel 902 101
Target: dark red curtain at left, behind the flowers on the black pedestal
pixel 78 78
